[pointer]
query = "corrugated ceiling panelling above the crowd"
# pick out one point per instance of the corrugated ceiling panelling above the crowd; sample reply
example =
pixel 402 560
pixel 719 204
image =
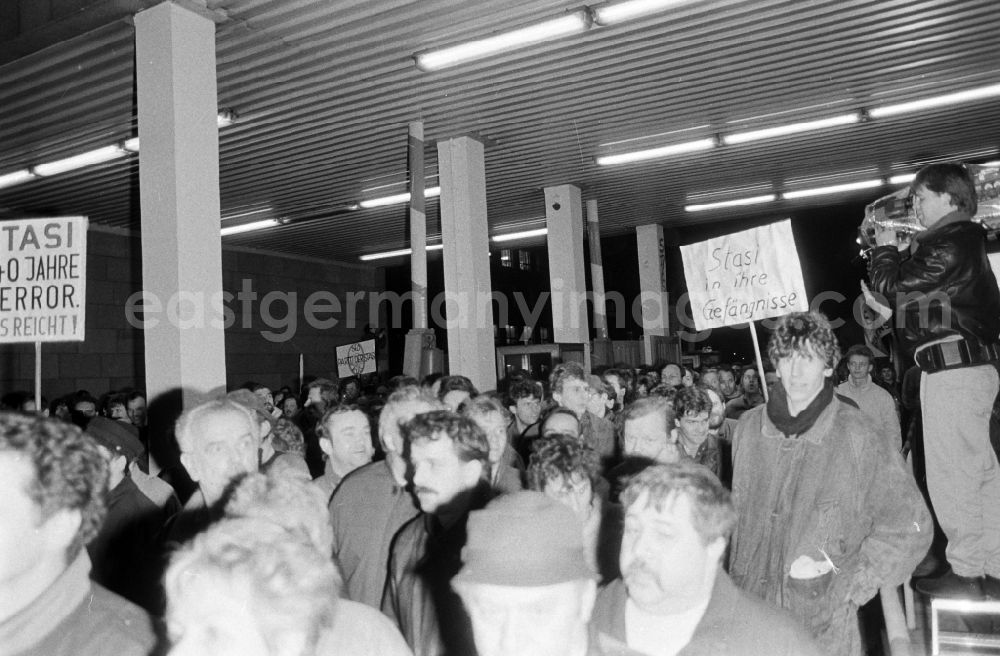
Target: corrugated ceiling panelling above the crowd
pixel 325 90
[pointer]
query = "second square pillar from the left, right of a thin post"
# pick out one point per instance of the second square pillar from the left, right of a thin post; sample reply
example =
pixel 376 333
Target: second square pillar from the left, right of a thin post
pixel 467 284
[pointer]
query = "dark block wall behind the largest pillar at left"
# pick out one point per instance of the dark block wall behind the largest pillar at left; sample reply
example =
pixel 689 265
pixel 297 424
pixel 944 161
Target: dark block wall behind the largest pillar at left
pixel 263 350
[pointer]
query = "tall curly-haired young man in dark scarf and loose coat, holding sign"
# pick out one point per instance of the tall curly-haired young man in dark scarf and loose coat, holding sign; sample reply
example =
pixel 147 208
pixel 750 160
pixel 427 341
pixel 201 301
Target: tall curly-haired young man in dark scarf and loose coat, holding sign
pixel 827 512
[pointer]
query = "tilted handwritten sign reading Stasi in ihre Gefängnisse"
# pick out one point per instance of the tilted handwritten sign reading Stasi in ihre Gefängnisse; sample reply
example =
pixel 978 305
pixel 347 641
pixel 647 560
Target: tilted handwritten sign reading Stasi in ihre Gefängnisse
pixel 745 276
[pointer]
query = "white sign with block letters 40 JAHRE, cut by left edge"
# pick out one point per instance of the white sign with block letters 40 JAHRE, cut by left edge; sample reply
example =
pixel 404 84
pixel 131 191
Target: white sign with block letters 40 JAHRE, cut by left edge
pixel 43 279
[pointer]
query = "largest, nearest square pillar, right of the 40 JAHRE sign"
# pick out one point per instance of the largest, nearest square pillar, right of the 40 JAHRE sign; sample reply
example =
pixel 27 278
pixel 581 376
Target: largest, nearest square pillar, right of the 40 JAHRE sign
pixel 179 200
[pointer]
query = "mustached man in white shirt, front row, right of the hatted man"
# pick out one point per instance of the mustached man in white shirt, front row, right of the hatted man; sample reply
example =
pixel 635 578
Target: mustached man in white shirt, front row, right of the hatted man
pixel 674 596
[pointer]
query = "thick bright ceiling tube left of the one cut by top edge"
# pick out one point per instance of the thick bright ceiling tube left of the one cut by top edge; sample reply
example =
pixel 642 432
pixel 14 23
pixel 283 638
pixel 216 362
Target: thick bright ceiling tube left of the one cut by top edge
pixel 573 23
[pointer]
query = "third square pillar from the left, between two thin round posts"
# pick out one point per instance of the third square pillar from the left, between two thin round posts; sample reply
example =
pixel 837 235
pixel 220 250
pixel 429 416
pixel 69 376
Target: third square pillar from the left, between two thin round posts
pixel 564 220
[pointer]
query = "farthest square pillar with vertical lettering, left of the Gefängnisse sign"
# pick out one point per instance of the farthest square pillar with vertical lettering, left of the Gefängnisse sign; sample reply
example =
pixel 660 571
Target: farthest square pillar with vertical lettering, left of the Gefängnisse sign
pixel 652 286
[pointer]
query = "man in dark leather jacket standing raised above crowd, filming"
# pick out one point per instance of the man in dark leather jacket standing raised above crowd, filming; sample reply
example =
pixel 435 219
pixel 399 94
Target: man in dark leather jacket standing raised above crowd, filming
pixel 948 317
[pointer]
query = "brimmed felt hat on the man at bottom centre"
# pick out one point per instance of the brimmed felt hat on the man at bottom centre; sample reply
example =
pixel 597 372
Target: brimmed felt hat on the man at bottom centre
pixel 524 539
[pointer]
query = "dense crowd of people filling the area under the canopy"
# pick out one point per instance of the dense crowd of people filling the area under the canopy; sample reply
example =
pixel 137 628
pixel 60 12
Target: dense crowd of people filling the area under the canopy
pixel 661 510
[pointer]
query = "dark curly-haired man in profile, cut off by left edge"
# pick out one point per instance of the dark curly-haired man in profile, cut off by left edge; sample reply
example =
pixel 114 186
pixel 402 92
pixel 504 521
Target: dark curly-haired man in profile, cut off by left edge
pixel 56 481
